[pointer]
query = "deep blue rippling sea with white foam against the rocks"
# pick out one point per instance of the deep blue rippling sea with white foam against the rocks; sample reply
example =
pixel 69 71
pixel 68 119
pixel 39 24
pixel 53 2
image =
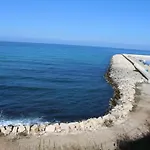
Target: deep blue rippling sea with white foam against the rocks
pixel 53 83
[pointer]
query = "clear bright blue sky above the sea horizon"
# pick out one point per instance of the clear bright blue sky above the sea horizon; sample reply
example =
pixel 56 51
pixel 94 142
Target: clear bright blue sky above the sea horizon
pixel 125 22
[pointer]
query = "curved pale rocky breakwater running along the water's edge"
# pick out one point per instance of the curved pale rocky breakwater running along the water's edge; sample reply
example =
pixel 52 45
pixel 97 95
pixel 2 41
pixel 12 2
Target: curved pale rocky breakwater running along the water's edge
pixel 123 76
